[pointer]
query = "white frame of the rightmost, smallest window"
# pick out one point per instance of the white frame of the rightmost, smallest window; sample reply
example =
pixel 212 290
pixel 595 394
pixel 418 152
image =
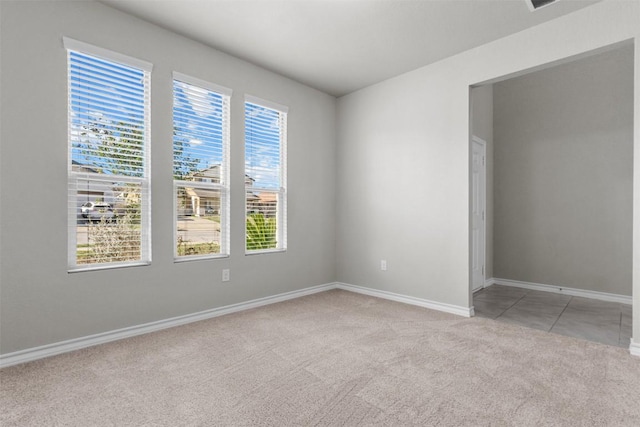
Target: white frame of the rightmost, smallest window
pixel 281 213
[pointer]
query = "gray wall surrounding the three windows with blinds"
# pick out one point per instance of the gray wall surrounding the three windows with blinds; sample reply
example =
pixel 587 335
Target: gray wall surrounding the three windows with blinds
pixel 42 303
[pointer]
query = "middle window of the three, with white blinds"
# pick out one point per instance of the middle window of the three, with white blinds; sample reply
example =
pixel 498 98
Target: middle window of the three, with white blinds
pixel 200 168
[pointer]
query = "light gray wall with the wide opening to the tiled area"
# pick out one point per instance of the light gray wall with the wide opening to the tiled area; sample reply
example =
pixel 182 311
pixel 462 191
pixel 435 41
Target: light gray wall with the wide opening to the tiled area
pixel 403 157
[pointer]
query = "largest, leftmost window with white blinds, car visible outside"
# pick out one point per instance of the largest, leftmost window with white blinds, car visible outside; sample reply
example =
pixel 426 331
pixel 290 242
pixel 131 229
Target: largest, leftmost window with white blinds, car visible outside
pixel 108 174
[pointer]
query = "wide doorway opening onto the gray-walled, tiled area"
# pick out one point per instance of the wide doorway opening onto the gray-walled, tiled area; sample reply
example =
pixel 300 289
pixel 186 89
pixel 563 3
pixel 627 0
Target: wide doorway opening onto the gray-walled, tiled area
pixel 559 197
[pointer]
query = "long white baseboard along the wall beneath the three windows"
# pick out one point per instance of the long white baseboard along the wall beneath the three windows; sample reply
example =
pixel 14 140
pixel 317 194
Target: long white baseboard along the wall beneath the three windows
pixel 41 352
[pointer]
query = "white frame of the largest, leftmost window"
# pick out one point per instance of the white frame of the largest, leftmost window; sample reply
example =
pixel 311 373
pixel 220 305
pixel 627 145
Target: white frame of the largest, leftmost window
pixel 74 177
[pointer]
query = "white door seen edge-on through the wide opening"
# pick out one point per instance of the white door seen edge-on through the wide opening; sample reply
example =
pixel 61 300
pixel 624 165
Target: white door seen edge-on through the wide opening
pixel 478 201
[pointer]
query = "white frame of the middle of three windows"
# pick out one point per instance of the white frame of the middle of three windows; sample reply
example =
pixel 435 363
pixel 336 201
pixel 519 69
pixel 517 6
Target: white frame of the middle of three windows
pixel 223 186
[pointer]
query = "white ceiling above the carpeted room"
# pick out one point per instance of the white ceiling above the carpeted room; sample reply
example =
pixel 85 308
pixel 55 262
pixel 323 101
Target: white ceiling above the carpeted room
pixel 339 46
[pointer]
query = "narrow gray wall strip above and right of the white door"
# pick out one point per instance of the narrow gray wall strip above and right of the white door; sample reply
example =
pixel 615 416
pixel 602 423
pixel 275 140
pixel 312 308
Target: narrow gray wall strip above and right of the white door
pixel 482 127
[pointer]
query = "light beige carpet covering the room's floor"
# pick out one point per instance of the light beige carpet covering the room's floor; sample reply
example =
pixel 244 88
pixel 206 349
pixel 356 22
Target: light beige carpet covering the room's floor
pixel 334 358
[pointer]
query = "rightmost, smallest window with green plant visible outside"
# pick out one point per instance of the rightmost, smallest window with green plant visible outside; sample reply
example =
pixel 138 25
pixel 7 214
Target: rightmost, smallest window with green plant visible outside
pixel 265 176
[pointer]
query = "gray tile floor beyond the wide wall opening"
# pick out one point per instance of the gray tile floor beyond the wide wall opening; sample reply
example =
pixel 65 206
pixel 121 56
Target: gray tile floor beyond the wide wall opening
pixel 593 320
